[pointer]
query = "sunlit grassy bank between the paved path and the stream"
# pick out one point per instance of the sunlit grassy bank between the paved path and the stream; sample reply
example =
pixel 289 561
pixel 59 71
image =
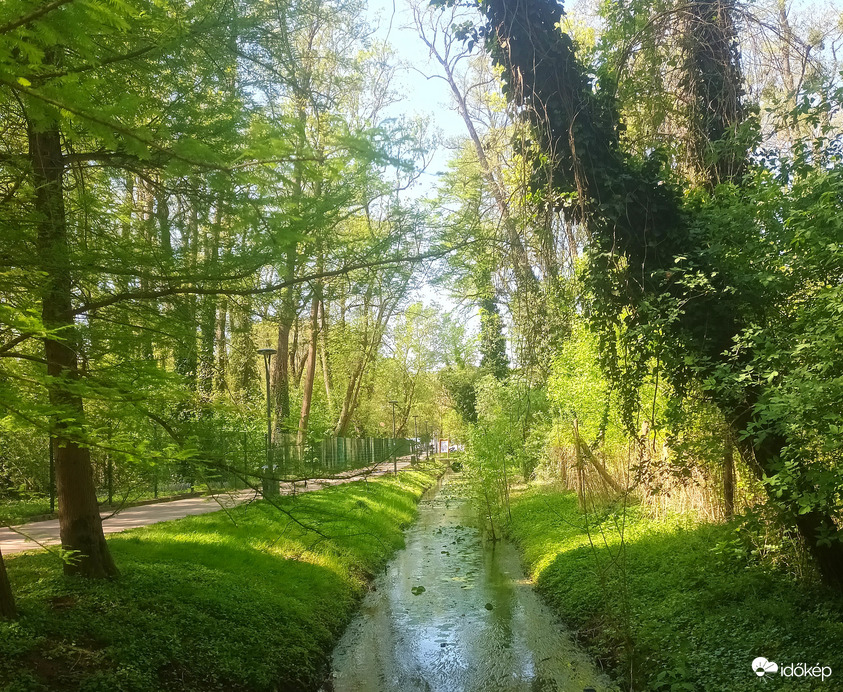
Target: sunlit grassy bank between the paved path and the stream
pixel 248 600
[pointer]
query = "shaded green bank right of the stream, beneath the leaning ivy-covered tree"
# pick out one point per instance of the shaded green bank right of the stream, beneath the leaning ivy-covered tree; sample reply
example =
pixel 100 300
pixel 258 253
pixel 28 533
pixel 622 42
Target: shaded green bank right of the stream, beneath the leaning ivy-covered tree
pixel 674 610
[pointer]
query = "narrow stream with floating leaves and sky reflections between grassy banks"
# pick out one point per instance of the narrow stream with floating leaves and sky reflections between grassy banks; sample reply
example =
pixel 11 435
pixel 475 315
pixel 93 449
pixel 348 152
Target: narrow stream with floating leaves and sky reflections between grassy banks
pixel 454 613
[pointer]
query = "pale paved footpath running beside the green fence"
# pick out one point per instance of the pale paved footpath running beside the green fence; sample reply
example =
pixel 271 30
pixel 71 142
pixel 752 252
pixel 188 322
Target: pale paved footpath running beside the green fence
pixel 47 532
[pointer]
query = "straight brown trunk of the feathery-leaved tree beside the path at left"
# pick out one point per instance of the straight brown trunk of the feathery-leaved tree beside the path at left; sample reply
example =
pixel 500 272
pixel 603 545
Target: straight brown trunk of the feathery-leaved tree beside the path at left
pixel 79 518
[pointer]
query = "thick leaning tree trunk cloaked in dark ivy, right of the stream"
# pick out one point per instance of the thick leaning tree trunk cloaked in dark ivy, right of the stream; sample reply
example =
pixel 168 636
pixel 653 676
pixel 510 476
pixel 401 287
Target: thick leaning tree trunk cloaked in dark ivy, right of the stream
pixel 647 253
